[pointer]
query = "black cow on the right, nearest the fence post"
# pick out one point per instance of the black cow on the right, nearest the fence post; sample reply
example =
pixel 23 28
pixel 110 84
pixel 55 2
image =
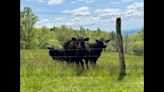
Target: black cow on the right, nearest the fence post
pixel 94 51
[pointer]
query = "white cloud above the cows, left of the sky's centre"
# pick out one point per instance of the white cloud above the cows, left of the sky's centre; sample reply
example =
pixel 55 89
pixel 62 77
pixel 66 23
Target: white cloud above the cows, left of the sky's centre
pixel 82 11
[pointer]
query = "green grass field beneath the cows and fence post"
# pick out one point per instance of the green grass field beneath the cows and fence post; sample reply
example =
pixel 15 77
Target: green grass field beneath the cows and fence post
pixel 39 73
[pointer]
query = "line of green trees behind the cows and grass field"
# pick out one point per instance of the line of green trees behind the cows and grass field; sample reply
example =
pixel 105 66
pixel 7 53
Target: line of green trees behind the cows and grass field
pixel 39 38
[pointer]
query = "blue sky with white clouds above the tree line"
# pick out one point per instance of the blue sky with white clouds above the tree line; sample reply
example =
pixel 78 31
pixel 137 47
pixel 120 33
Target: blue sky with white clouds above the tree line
pixel 88 13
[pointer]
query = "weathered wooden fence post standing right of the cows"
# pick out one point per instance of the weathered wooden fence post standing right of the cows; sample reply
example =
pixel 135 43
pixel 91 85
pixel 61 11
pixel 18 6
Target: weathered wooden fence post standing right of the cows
pixel 122 71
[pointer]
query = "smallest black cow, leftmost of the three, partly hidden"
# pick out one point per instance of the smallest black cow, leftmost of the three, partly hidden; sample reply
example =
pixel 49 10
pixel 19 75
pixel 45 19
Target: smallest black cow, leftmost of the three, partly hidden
pixel 57 54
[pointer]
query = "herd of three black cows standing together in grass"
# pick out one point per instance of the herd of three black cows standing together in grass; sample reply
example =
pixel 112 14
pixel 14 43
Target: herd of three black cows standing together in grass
pixel 79 50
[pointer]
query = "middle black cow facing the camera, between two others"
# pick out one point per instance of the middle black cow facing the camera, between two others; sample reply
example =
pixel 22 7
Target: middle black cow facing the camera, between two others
pixel 75 50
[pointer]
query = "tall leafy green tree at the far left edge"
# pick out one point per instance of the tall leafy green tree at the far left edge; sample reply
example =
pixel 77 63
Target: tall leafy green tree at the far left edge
pixel 27 21
